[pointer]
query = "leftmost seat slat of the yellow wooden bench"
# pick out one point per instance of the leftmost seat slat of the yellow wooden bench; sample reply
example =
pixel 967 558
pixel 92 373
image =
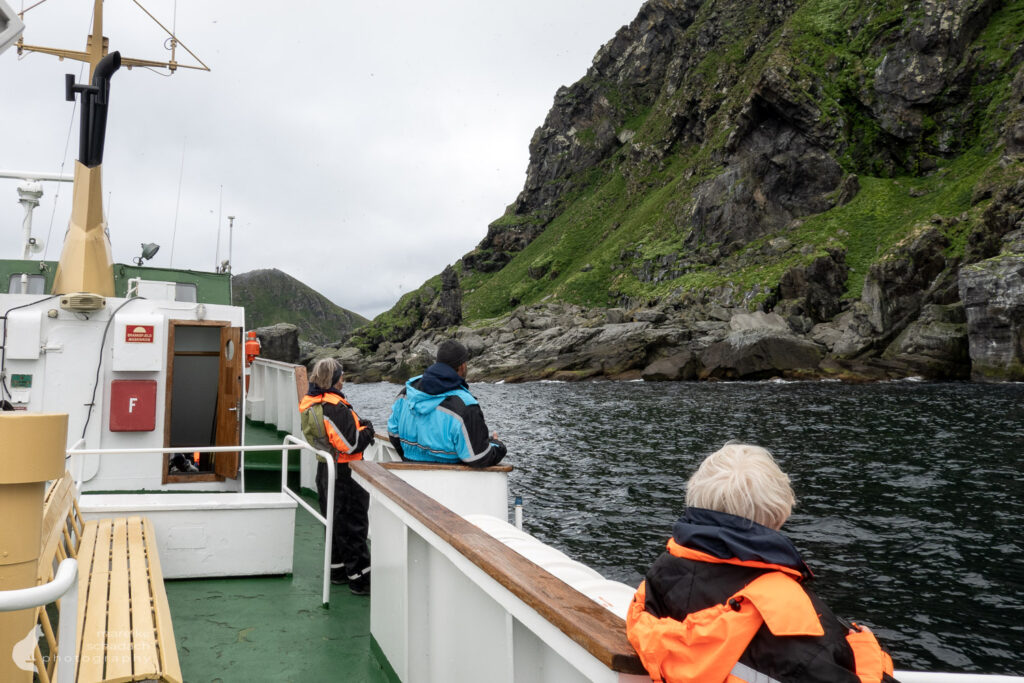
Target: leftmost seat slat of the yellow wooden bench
pixel 93 605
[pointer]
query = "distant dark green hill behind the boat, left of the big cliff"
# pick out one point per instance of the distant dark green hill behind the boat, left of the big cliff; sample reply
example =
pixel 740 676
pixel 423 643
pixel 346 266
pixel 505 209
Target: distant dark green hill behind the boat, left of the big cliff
pixel 272 296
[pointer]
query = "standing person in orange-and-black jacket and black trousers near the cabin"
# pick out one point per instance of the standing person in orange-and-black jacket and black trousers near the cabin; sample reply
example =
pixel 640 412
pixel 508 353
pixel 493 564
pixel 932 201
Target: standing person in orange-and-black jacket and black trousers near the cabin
pixel 329 423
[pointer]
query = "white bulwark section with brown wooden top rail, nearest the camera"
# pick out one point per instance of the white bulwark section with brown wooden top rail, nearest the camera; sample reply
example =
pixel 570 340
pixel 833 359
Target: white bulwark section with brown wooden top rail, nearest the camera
pixel 433 570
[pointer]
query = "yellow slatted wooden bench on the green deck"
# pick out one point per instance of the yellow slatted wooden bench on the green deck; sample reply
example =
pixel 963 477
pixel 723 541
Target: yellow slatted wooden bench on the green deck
pixel 124 621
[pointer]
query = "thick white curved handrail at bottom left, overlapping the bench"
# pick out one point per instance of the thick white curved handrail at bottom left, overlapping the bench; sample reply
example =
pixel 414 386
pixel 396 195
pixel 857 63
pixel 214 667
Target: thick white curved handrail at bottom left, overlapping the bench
pixel 64 586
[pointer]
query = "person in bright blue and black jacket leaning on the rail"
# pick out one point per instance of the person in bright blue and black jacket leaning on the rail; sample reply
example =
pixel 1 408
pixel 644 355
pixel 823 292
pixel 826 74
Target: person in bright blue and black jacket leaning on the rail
pixel 436 419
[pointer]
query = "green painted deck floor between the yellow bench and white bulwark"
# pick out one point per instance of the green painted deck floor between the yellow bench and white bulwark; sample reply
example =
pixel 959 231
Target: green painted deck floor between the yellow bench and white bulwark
pixel 275 628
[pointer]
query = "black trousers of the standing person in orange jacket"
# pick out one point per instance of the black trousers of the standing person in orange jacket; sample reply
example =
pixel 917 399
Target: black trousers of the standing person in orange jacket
pixel 352 501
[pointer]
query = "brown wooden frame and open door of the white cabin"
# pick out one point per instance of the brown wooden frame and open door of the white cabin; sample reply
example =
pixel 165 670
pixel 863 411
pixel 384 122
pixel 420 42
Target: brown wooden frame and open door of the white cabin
pixel 230 468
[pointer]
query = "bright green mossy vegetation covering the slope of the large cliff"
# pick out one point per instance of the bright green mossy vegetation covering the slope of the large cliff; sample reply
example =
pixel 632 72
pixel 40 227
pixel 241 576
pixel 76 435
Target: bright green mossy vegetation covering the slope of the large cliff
pixel 620 235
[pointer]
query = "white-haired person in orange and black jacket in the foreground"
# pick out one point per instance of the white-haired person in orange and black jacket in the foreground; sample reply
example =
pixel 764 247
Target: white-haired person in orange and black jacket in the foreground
pixel 730 600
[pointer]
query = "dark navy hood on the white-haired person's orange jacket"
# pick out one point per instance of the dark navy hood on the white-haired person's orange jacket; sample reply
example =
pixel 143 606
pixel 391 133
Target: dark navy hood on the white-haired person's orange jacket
pixel 729 537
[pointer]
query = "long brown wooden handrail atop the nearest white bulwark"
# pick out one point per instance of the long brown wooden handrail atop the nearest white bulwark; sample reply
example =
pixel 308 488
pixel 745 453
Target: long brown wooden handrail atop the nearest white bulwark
pixel 595 629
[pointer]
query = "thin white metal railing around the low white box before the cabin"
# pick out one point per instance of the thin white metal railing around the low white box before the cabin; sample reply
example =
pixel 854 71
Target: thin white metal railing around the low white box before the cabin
pixel 290 444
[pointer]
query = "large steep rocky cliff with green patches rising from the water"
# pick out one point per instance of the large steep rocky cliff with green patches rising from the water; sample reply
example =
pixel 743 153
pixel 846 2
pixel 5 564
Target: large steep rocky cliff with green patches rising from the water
pixel 846 173
